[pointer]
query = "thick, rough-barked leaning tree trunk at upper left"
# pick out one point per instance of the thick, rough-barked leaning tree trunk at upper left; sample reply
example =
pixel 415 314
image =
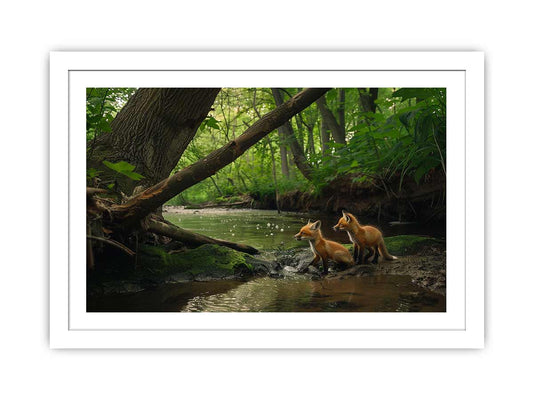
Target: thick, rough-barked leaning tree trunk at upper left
pixel 152 131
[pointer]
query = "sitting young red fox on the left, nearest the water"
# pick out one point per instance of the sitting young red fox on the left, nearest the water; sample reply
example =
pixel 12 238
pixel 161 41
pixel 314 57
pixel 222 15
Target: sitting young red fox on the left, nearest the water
pixel 322 248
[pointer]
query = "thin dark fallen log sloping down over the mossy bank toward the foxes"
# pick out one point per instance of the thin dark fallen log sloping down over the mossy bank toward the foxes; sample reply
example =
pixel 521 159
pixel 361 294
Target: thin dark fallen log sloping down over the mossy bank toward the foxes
pixel 195 239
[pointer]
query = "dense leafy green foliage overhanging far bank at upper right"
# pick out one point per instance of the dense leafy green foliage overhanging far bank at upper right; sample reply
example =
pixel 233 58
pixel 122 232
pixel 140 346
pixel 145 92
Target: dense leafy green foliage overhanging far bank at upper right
pixel 389 146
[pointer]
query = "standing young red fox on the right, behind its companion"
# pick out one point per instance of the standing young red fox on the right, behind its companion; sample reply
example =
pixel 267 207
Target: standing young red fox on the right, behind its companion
pixel 363 237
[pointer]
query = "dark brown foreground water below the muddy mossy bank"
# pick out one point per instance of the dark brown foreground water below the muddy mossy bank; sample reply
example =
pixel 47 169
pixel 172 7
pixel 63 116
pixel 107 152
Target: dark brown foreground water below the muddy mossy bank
pixel 364 294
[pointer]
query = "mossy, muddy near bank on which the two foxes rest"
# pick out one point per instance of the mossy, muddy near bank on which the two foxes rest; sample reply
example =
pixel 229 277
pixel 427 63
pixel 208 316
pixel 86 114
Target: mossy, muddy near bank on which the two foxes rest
pixel 423 259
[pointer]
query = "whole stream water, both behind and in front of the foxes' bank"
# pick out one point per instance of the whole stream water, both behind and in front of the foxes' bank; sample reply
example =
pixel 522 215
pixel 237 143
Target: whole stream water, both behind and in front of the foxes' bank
pixel 267 230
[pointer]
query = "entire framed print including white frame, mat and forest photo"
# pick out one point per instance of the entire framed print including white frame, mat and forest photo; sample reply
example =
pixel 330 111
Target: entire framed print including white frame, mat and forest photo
pixel 266 200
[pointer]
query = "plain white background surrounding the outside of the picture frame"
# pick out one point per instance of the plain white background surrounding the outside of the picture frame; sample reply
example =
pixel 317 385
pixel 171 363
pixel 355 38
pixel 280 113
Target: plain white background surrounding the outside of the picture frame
pixel 29 30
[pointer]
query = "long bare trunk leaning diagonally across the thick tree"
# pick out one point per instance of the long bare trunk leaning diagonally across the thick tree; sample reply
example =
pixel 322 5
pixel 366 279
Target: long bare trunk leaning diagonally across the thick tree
pixel 144 203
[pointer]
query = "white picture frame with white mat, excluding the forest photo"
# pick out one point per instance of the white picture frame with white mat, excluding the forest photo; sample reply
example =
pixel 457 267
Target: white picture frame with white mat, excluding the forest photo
pixel 461 326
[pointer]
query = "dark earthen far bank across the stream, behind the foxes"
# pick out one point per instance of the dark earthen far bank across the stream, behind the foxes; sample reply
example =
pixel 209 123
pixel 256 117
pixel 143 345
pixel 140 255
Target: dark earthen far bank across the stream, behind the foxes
pixel 422 202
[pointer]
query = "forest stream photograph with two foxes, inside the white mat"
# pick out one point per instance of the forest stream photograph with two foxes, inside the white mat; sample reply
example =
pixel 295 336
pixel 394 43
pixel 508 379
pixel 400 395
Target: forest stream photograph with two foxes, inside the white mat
pixel 266 199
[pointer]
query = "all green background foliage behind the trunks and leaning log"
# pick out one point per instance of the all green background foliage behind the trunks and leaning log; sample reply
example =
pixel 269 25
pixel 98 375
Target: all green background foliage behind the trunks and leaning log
pixel 404 139
